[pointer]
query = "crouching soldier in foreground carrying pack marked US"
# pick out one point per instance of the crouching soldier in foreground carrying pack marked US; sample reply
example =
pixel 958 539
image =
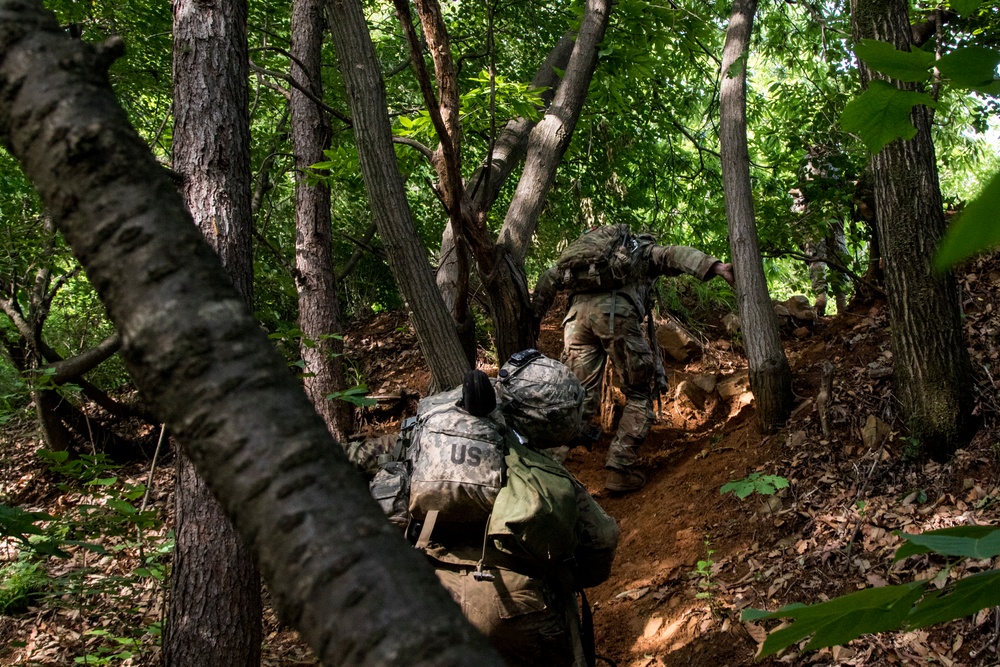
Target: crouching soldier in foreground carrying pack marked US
pixel 514 567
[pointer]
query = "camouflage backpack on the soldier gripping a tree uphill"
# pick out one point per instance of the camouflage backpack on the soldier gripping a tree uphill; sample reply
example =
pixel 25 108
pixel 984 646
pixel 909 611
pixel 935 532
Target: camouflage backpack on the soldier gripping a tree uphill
pixel 603 258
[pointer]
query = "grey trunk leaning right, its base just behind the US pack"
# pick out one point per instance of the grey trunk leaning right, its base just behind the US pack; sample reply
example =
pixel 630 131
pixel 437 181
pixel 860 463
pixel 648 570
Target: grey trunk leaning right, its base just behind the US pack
pixel 432 323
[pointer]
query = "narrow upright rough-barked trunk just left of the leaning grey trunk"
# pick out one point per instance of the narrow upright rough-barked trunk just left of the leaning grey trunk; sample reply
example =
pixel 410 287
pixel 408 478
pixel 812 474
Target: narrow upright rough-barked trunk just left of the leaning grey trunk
pixel 319 307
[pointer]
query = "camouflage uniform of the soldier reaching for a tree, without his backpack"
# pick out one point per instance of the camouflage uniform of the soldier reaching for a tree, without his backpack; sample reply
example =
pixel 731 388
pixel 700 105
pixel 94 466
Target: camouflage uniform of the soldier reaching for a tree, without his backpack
pixel 603 325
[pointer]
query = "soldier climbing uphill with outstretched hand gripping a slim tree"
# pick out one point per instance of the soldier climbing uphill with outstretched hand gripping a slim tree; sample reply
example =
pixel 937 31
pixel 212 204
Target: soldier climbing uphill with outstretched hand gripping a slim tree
pixel 603 323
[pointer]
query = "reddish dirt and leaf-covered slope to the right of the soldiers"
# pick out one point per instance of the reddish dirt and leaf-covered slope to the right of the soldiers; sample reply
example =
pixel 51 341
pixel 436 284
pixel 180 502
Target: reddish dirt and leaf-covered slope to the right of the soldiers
pixel 828 534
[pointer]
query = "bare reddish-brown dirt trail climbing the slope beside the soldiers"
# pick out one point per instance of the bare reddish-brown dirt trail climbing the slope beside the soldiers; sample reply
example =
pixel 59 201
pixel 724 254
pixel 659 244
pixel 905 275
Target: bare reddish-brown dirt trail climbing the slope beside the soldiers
pixel 648 607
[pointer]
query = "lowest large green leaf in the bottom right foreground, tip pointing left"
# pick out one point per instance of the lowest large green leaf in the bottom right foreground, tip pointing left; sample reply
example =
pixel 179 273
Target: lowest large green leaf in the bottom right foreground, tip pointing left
pixel 842 619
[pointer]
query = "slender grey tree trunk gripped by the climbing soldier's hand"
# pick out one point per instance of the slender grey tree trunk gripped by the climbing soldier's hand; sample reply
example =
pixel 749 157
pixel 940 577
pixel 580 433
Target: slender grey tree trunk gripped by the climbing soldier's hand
pixel 770 375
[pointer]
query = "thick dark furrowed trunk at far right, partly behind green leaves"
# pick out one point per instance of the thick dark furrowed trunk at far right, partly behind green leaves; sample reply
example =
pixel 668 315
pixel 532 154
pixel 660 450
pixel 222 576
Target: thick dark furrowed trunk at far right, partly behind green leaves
pixel 931 367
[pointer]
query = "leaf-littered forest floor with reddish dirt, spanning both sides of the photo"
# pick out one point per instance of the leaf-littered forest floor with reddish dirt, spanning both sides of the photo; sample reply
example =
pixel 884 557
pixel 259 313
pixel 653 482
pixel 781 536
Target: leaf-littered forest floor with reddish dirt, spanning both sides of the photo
pixel 690 558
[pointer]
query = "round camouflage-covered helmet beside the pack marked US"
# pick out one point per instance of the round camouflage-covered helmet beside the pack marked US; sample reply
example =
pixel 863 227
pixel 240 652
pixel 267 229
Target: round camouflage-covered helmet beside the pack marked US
pixel 541 399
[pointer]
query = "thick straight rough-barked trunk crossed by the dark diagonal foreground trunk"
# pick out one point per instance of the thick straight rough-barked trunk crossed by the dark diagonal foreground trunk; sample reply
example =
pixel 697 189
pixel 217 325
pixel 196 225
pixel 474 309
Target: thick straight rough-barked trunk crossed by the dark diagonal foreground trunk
pixel 215 606
